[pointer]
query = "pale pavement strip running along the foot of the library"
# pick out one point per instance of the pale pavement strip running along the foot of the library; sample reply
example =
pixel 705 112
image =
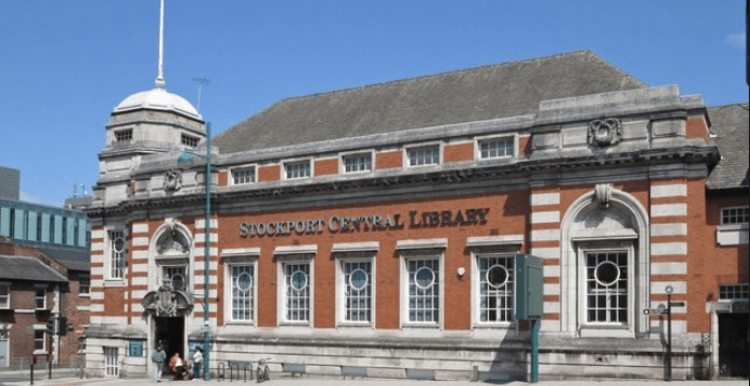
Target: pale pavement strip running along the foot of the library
pixel 11 378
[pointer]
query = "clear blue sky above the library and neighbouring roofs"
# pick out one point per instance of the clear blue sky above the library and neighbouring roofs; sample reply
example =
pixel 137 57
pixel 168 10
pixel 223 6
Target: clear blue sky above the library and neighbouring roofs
pixel 65 64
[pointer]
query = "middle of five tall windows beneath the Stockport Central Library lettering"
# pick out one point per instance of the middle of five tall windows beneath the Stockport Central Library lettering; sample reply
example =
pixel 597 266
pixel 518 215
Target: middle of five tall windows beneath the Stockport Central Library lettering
pixel 357 291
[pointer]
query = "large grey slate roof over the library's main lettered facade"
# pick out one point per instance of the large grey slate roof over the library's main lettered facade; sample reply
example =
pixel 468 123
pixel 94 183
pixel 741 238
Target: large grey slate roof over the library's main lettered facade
pixel 477 94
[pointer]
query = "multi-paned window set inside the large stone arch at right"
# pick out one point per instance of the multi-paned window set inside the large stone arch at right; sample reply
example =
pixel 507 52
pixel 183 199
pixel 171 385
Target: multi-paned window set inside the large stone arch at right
pixel 607 287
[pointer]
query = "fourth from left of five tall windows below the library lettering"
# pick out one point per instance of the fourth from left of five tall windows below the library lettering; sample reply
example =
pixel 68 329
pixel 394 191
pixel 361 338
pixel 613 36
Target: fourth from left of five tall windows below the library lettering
pixel 423 290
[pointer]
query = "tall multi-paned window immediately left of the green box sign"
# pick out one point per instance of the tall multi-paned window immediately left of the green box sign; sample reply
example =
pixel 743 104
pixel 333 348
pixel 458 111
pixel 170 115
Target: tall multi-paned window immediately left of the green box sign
pixel 496 288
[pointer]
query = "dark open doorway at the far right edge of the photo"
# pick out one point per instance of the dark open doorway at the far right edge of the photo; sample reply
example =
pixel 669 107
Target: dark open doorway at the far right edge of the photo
pixel 733 345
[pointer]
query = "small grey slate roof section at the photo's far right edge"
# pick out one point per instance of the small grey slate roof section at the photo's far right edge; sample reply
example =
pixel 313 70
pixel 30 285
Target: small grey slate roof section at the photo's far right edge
pixel 729 131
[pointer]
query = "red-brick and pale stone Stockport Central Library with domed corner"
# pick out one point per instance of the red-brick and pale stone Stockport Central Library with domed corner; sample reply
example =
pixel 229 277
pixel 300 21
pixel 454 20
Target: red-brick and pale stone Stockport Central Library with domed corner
pixel 371 232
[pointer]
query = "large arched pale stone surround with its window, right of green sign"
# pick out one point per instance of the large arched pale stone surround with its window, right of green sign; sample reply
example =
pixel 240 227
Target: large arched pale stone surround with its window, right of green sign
pixel 605 263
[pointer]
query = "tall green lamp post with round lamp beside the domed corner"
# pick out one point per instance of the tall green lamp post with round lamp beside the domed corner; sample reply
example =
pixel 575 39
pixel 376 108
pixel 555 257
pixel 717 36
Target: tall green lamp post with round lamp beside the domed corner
pixel 186 161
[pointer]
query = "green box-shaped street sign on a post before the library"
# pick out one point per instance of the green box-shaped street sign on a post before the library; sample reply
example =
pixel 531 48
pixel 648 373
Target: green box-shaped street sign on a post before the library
pixel 530 301
